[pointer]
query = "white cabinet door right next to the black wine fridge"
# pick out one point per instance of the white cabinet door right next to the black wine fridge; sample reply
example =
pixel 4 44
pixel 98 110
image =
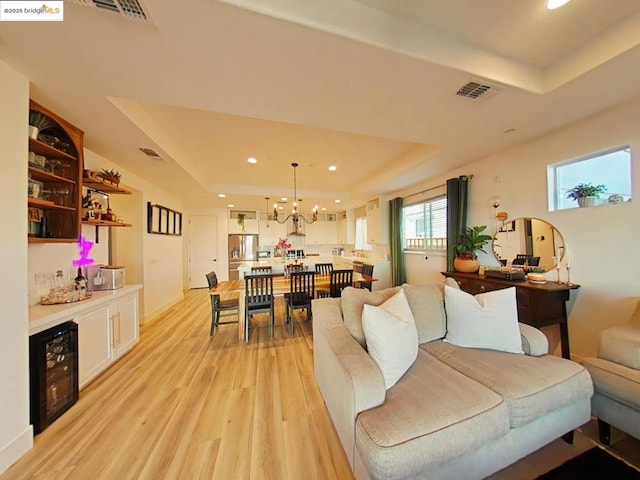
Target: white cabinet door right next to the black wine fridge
pixel 94 343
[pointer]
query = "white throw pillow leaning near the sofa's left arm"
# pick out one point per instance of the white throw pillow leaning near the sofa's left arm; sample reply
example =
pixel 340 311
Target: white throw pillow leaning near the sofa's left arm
pixel 392 337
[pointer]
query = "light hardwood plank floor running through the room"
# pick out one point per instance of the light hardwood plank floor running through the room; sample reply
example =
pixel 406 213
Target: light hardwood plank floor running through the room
pixel 183 405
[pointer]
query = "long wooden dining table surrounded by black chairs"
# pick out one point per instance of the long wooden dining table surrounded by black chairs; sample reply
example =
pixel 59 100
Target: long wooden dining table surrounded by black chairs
pixel 281 285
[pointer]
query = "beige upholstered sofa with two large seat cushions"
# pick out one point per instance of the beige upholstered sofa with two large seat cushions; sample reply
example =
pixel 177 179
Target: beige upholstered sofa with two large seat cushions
pixel 460 413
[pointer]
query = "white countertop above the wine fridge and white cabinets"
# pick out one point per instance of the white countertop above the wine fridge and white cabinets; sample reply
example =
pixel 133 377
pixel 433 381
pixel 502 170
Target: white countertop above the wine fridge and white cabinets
pixel 42 317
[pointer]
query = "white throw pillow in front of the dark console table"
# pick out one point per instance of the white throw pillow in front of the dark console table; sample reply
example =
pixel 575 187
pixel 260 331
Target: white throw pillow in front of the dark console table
pixel 488 320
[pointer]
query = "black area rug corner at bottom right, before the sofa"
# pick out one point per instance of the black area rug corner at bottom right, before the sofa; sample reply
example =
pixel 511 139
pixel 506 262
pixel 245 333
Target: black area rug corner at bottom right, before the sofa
pixel 595 463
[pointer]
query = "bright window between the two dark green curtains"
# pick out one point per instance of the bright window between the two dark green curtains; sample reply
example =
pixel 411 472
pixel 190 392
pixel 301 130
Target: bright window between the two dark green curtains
pixel 424 225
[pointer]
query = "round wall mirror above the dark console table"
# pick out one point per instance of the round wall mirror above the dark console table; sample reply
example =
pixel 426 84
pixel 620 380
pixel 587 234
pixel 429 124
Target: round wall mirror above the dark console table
pixel 529 241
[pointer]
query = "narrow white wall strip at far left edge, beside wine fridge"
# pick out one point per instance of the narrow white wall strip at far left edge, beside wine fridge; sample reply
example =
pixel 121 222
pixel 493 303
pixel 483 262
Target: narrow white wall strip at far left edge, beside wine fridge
pixel 16 435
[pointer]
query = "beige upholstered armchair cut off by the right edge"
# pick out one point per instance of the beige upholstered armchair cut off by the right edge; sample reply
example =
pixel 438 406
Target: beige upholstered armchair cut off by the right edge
pixel 616 379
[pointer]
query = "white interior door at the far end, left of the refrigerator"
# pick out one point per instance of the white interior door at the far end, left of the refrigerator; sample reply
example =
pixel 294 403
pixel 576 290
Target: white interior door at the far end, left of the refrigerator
pixel 203 249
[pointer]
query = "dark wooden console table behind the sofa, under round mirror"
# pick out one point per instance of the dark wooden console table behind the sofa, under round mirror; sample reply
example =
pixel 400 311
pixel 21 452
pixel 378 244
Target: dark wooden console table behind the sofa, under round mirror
pixel 539 305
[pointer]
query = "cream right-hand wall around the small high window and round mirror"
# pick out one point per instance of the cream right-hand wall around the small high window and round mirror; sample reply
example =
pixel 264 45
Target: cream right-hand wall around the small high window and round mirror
pixel 602 239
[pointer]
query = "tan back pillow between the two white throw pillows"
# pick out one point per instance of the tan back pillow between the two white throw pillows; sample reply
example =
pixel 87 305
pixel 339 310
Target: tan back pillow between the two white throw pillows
pixel 427 305
